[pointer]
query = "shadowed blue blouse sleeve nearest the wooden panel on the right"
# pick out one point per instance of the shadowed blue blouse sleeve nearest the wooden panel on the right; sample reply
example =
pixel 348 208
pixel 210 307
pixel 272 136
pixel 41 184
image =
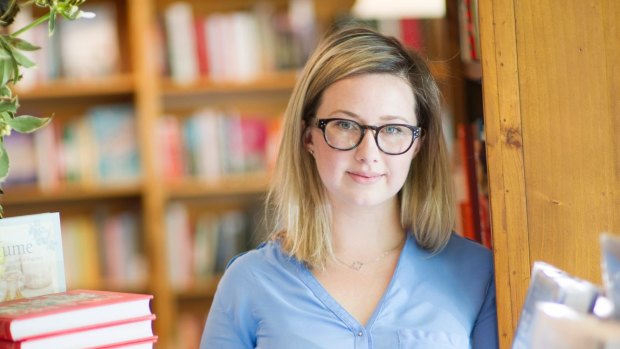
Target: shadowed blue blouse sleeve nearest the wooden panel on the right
pixel 484 334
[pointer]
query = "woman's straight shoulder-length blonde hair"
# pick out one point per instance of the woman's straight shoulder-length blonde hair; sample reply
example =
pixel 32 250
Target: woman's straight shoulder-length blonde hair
pixel 296 199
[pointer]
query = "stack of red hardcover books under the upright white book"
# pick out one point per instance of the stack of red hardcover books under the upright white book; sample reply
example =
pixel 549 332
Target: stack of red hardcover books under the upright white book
pixel 78 319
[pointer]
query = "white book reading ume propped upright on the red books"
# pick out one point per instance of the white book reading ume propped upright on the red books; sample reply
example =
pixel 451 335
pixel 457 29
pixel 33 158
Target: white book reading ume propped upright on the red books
pixel 31 258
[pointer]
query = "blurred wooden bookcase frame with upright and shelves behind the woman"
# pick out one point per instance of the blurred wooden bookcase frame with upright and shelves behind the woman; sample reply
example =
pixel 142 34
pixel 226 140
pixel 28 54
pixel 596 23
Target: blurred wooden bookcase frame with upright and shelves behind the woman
pixel 152 94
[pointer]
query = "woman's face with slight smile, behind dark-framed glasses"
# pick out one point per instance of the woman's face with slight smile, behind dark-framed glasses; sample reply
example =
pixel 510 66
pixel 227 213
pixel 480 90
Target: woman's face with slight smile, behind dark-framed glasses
pixel 364 176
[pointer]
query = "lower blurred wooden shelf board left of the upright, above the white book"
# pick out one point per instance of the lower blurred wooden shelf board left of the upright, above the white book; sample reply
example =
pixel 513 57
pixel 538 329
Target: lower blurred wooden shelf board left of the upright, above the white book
pixel 24 195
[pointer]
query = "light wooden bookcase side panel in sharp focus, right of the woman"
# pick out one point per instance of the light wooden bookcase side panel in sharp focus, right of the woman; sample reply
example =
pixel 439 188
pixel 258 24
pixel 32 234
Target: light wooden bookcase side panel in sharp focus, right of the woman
pixel 551 112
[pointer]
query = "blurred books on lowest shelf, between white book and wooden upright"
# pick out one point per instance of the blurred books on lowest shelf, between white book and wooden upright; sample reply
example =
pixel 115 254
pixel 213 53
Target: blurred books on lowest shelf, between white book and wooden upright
pixel 103 250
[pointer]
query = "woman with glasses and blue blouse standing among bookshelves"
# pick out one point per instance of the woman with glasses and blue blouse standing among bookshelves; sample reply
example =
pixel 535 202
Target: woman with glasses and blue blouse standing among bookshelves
pixel 362 254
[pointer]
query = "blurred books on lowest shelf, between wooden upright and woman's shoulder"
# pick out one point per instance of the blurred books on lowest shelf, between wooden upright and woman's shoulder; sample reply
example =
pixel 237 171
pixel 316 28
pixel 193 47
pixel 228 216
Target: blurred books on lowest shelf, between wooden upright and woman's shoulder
pixel 200 244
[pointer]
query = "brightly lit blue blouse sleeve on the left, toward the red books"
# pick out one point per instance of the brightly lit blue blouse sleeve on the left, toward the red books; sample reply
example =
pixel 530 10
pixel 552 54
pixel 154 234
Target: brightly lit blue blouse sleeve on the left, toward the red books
pixel 230 324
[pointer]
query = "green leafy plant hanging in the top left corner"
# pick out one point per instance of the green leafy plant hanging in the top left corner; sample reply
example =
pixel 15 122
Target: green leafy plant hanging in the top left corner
pixel 12 61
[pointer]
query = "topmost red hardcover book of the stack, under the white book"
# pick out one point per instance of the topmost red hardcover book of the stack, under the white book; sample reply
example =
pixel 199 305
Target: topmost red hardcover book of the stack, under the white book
pixel 76 309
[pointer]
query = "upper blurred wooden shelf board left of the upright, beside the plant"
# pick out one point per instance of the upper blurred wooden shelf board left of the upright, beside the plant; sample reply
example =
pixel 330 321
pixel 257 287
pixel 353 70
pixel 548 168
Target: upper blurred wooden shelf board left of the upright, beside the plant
pixel 67 88
